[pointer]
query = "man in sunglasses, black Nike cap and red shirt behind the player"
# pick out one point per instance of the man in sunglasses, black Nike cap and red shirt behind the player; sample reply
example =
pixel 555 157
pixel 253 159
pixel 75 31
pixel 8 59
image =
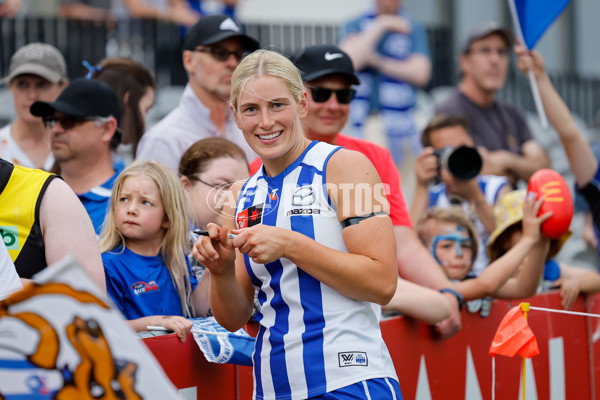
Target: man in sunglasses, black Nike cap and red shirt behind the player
pixel 328 74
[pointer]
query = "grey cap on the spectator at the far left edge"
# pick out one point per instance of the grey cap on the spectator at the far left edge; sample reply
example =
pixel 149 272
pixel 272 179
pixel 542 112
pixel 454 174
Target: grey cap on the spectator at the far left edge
pixel 39 59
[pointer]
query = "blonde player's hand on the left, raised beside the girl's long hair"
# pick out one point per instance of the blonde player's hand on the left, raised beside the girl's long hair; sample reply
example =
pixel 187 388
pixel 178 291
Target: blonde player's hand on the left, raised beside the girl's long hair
pixel 215 251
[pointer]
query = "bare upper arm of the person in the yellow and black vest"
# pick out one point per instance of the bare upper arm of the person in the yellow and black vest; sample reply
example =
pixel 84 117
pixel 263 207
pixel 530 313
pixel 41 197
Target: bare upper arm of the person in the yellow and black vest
pixel 67 229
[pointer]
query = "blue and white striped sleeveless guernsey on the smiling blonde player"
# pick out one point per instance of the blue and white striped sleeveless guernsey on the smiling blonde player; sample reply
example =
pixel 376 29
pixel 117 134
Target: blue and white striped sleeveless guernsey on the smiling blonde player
pixel 312 339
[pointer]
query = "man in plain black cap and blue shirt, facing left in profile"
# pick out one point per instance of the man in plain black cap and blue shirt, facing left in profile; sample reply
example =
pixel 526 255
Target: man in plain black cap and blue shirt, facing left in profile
pixel 84 122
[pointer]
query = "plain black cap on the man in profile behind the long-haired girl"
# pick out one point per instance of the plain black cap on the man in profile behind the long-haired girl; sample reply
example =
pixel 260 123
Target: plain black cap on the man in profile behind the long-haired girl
pixel 82 98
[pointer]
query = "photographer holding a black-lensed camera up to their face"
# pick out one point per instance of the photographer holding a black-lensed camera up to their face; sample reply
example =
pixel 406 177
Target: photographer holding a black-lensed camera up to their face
pixel 447 172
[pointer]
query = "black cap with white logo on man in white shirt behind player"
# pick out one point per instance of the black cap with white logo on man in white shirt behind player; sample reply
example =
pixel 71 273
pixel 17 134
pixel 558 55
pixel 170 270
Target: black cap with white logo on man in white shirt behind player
pixel 212 29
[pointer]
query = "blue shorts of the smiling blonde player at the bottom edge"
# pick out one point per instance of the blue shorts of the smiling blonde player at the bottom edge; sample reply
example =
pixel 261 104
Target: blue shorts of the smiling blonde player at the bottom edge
pixel 372 389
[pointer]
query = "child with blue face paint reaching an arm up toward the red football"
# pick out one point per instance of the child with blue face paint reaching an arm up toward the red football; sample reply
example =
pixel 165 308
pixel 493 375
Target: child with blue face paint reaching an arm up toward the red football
pixel 452 240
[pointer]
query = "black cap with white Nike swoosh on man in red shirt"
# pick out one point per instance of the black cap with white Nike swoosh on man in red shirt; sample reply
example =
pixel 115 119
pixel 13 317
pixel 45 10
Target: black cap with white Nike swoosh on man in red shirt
pixel 317 61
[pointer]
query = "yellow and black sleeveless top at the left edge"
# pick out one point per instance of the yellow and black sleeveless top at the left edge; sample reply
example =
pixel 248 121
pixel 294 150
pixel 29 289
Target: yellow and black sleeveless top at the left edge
pixel 21 192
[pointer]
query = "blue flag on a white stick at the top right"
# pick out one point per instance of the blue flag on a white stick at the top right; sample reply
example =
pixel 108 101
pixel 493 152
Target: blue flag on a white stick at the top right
pixel 535 16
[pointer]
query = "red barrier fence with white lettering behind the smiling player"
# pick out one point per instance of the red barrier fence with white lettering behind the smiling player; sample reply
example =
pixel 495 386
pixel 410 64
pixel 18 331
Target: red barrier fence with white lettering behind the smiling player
pixel 458 368
